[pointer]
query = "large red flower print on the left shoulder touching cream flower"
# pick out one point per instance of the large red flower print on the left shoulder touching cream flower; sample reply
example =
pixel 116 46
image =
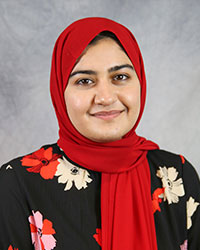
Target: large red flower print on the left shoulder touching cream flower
pixel 42 161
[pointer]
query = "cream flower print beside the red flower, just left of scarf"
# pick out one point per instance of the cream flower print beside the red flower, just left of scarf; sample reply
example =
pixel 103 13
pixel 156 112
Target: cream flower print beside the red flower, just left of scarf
pixel 69 173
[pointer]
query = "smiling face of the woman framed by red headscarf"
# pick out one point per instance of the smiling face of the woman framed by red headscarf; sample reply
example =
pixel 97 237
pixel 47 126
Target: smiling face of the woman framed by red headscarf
pixel 103 93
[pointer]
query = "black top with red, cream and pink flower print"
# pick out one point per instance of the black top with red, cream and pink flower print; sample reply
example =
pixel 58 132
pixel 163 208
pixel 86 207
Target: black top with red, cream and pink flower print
pixel 49 202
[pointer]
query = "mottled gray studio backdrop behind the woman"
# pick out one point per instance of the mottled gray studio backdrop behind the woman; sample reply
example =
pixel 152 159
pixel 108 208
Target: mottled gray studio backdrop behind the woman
pixel 169 37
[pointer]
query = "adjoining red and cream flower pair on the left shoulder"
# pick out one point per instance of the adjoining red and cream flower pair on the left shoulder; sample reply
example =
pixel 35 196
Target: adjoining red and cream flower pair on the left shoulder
pixel 49 165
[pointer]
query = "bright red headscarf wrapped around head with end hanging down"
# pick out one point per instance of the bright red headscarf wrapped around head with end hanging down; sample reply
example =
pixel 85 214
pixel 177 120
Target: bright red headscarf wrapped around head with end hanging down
pixel 126 207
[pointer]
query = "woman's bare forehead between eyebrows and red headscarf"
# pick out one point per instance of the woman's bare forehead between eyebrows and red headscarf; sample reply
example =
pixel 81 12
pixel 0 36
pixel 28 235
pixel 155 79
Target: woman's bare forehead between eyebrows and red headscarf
pixel 104 52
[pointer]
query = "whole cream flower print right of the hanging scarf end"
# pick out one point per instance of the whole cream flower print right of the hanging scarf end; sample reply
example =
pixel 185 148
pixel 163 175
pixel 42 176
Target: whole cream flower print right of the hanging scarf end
pixel 173 188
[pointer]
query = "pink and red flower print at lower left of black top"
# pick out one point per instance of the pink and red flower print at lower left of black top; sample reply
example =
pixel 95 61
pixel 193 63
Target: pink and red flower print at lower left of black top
pixel 41 232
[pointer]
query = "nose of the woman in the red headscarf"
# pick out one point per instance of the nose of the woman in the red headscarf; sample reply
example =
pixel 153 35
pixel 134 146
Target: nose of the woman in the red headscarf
pixel 105 94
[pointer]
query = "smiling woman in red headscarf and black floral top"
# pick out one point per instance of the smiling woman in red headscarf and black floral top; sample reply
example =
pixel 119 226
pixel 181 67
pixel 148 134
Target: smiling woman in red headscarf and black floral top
pixel 100 185
